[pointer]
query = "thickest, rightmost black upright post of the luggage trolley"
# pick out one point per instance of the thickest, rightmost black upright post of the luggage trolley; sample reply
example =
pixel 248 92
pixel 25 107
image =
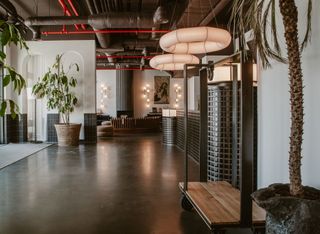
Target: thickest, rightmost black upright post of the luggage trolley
pixel 246 141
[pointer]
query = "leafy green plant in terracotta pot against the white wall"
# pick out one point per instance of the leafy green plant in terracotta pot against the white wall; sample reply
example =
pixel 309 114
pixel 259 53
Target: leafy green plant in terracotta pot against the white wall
pixel 56 85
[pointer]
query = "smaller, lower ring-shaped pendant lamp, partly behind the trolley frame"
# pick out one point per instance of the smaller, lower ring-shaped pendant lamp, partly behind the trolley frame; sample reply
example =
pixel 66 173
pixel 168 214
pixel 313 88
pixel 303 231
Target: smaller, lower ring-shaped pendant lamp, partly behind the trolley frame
pixel 172 62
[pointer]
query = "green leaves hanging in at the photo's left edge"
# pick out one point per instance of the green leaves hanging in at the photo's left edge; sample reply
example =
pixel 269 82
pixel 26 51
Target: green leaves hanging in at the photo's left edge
pixel 10 34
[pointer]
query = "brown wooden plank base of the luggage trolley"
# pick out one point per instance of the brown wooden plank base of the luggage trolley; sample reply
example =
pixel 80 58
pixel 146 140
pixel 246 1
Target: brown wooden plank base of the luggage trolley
pixel 218 203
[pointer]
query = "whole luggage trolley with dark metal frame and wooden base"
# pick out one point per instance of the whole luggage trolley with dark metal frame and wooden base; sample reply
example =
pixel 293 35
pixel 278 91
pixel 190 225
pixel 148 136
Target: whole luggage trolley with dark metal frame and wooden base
pixel 219 203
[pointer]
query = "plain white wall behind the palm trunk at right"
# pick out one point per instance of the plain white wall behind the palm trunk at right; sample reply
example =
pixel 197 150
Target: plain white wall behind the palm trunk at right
pixel 274 113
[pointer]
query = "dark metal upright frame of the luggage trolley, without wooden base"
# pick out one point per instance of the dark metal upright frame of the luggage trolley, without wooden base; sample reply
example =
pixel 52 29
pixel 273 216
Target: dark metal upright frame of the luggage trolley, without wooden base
pixel 246 127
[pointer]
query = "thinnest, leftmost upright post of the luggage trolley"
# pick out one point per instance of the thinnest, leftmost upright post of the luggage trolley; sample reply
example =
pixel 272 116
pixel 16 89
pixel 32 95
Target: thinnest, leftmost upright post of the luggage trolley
pixel 186 162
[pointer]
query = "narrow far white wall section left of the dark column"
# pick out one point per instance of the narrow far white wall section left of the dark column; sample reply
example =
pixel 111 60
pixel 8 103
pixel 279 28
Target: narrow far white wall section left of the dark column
pixel 107 78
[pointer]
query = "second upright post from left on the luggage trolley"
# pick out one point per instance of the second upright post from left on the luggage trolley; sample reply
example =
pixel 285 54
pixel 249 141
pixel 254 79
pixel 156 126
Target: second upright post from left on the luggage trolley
pixel 204 125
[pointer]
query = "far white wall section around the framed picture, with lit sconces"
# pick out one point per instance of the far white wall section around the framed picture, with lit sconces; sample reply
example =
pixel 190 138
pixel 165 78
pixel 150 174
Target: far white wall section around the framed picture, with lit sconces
pixel 142 78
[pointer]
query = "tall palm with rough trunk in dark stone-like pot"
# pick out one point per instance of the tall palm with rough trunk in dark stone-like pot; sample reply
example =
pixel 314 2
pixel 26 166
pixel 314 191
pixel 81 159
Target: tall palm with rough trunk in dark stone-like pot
pixel 291 208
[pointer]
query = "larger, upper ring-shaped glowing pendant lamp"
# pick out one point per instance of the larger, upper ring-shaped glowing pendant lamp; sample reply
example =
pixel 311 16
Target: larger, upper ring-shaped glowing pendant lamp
pixel 195 40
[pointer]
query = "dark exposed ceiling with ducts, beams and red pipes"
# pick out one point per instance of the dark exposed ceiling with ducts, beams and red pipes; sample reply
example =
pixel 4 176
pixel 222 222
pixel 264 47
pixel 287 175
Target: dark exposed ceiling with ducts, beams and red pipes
pixel 132 49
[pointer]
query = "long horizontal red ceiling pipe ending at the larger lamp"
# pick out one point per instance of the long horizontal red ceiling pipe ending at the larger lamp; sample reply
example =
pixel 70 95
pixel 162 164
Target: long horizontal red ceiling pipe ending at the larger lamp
pixel 103 31
